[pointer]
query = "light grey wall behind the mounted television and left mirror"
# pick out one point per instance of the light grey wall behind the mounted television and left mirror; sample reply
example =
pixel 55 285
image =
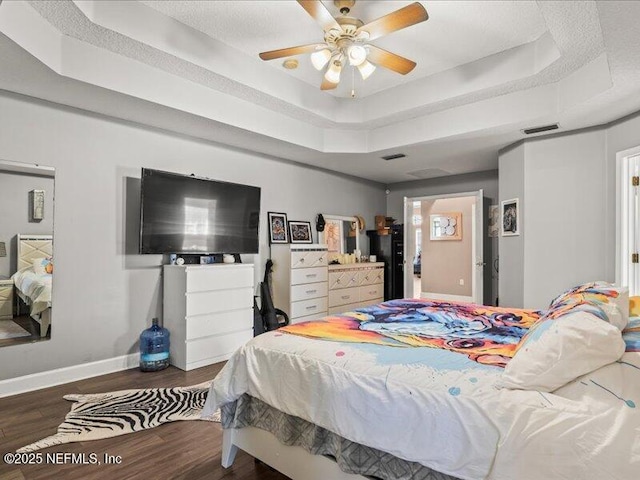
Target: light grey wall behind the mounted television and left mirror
pixel 104 296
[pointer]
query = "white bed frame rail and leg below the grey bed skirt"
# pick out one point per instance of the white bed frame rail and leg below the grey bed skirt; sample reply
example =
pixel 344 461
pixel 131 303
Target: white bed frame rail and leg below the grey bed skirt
pixel 292 461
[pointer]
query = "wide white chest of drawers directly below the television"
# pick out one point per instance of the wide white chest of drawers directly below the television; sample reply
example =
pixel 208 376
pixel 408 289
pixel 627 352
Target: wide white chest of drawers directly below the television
pixel 208 310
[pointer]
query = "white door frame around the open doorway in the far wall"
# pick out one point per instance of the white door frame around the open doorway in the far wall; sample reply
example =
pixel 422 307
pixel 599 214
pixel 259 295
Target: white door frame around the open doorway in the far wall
pixel 477 244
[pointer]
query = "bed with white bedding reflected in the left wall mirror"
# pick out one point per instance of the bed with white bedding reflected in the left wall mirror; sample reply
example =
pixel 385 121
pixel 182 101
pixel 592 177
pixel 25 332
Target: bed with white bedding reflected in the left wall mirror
pixel 33 286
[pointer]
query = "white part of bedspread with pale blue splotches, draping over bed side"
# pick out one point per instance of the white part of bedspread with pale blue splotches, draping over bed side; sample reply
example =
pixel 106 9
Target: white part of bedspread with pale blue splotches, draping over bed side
pixel 441 409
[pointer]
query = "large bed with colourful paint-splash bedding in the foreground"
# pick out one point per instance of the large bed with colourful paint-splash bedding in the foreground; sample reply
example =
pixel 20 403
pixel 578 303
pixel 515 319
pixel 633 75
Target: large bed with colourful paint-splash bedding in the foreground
pixel 385 393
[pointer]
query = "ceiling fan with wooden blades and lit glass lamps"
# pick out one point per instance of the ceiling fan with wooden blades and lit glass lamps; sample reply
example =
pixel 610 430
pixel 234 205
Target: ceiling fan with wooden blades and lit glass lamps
pixel 346 41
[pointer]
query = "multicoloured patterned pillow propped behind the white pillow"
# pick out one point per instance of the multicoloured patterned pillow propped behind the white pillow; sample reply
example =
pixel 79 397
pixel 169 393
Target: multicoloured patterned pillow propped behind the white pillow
pixel 605 300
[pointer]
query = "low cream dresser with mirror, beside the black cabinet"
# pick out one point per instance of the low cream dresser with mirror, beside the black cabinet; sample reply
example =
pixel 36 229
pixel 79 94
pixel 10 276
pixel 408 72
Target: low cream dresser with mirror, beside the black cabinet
pixel 355 285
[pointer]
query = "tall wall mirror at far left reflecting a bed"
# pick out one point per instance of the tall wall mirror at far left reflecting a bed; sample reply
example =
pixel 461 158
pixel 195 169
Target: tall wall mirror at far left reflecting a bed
pixel 26 252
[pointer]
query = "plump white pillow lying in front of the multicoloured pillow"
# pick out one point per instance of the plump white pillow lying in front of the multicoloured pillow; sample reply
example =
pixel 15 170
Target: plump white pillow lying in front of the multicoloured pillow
pixel 555 352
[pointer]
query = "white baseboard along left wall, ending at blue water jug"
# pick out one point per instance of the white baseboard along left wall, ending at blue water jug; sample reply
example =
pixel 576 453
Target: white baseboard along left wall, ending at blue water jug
pixel 36 381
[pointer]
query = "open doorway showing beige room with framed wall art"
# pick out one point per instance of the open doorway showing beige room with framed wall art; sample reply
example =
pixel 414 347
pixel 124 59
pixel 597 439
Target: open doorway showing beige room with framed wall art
pixel 444 247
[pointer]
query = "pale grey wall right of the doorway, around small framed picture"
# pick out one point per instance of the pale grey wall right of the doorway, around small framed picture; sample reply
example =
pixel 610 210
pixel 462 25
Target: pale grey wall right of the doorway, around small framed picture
pixel 569 183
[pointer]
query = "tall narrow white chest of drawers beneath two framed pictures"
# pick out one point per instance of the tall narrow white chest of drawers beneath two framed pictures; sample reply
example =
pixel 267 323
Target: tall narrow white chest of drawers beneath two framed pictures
pixel 300 280
